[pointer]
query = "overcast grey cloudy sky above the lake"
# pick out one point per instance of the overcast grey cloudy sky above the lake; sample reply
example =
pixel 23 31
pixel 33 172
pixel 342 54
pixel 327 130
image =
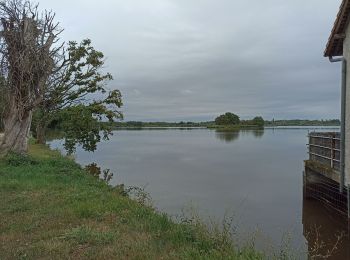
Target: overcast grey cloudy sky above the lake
pixel 194 59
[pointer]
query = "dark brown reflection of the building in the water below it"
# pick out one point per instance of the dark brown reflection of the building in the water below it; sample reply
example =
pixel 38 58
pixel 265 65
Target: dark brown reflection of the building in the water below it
pixel 322 229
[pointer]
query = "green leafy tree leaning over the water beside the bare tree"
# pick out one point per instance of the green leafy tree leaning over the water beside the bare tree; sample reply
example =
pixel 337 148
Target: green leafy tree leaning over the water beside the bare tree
pixel 77 97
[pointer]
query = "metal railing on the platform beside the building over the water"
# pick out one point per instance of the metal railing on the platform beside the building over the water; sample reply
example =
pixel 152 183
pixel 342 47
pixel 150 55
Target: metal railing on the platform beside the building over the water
pixel 325 149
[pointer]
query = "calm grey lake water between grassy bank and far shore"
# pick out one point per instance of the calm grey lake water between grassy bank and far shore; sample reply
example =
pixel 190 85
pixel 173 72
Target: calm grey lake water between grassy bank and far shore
pixel 253 175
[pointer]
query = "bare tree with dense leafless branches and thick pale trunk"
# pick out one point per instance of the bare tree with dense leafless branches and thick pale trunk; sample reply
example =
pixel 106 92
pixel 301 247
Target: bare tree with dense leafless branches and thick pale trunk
pixel 28 52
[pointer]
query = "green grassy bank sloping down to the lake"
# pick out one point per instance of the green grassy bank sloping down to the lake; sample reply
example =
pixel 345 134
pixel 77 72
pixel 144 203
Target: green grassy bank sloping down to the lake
pixel 52 209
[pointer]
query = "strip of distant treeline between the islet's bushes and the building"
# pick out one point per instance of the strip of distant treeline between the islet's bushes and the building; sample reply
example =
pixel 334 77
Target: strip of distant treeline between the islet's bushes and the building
pixel 299 122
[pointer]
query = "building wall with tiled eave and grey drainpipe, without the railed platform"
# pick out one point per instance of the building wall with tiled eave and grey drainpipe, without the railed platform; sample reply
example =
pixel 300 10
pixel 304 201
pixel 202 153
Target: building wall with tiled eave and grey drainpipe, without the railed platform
pixel 338 49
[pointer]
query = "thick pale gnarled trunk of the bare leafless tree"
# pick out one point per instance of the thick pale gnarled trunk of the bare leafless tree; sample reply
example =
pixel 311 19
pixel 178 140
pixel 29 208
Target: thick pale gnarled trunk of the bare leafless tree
pixel 16 134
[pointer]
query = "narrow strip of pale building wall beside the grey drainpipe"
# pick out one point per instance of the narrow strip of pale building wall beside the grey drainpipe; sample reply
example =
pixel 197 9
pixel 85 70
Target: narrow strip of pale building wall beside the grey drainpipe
pixel 347 121
